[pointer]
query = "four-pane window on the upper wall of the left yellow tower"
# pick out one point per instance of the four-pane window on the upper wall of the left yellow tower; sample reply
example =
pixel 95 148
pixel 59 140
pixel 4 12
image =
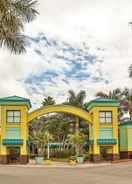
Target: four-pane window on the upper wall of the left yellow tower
pixel 13 116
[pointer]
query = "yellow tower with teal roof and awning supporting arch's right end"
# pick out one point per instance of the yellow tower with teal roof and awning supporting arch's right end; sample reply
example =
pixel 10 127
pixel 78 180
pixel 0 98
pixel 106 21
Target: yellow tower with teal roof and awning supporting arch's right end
pixel 104 129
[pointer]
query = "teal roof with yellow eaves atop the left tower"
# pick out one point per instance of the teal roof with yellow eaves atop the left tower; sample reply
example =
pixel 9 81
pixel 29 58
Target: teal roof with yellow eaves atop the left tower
pixel 15 100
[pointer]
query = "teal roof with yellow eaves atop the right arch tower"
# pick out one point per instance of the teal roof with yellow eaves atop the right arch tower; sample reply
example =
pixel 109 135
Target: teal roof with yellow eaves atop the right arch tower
pixel 101 102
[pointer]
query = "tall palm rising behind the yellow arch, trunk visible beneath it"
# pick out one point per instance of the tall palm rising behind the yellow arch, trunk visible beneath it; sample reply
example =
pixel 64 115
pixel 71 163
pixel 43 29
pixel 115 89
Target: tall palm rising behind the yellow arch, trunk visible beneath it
pixel 78 101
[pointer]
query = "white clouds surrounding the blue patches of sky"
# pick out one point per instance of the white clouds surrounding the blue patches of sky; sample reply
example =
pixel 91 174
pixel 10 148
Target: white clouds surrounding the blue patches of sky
pixel 102 24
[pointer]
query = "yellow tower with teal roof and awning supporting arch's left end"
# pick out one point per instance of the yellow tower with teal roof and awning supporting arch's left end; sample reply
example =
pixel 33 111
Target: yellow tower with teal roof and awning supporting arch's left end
pixel 14 129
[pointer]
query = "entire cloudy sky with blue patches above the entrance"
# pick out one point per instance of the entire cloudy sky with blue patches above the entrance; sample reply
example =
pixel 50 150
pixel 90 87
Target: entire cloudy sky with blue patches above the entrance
pixel 96 31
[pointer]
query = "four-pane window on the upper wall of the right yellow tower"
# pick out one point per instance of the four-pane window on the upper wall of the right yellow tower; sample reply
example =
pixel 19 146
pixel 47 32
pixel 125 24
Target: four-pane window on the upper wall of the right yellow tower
pixel 105 117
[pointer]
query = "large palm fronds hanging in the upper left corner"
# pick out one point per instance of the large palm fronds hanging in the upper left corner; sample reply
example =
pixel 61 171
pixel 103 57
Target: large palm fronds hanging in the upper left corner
pixel 13 15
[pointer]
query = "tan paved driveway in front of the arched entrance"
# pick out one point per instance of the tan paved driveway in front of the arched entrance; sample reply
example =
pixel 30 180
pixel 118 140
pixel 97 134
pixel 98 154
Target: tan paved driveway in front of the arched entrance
pixel 112 174
